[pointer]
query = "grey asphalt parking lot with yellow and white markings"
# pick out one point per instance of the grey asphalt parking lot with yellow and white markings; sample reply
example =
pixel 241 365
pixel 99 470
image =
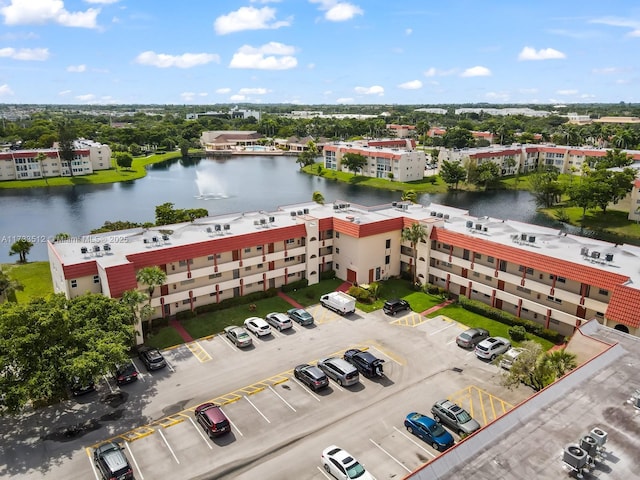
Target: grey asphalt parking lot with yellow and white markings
pixel 279 426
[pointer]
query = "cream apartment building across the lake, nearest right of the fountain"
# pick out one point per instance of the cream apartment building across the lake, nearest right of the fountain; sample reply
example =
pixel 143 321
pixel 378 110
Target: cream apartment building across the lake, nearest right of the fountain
pixel 401 164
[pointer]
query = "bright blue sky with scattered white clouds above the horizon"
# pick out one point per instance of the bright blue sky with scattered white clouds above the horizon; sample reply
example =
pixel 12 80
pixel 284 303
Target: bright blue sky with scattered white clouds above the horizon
pixel 319 51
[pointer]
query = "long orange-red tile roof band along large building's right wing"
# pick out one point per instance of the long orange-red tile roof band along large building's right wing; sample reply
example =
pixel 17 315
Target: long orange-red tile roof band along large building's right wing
pixel 556 266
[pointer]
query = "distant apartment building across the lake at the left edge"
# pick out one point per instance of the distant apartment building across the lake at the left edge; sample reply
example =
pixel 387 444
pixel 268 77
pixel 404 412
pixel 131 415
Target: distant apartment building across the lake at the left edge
pixel 89 156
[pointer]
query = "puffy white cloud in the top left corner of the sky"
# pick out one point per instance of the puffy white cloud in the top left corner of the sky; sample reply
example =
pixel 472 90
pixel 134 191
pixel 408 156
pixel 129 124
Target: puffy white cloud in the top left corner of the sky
pixel 38 12
